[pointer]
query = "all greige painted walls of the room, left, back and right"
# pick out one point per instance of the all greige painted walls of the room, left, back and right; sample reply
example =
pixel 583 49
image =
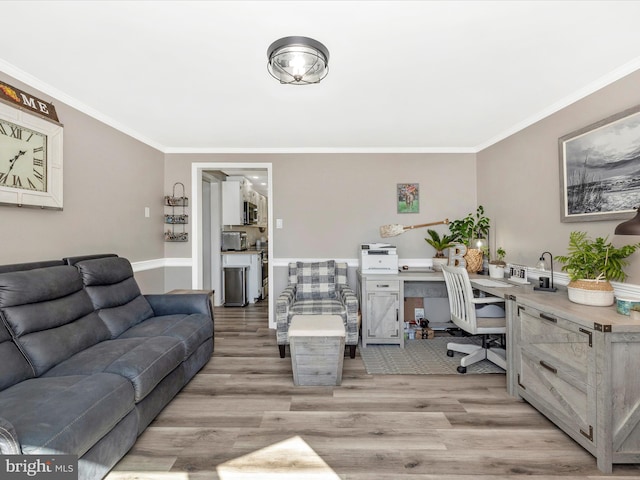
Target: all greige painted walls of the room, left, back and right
pixel 330 203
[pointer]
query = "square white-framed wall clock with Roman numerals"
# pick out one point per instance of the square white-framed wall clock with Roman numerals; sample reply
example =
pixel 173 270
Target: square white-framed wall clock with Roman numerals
pixel 30 159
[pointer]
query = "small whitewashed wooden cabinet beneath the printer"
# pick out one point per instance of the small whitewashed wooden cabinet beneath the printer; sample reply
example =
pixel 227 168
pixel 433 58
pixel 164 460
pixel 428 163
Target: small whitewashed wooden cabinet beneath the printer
pixel 380 304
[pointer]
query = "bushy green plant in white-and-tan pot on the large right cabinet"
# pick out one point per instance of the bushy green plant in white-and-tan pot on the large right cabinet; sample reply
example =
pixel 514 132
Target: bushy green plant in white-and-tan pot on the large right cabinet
pixel 591 265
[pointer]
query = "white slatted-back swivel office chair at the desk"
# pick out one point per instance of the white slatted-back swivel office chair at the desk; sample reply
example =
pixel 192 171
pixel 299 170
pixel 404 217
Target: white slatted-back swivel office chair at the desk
pixel 476 316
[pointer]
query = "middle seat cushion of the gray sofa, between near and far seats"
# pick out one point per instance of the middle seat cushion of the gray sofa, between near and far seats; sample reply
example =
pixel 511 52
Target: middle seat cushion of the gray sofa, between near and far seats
pixel 143 361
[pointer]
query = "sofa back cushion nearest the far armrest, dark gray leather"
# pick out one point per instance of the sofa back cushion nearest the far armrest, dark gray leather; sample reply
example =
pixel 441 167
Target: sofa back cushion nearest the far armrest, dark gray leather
pixel 114 293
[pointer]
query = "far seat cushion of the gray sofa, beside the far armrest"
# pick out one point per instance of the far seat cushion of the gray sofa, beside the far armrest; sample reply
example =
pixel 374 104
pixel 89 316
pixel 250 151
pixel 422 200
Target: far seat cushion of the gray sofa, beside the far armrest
pixel 191 330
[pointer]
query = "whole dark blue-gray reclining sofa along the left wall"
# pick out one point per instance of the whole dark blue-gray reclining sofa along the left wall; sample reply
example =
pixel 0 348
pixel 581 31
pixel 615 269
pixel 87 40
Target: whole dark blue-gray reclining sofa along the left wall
pixel 87 361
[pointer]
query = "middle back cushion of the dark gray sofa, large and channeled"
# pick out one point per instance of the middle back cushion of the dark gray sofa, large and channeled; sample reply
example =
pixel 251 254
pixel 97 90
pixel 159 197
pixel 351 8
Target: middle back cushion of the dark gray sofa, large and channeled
pixel 49 315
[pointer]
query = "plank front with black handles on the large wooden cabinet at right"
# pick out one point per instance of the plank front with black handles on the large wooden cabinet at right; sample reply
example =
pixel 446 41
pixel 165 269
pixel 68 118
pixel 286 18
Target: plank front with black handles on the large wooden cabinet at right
pixel 556 370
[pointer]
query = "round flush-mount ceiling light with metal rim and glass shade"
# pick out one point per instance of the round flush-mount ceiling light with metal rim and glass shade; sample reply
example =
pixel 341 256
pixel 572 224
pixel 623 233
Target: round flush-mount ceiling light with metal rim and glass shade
pixel 298 60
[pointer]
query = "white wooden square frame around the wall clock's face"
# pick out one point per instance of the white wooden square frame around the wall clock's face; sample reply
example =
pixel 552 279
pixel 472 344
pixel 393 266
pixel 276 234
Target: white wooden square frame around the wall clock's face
pixel 51 197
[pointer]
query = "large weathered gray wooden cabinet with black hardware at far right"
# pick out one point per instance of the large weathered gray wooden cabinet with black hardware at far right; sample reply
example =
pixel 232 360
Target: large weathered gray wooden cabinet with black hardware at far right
pixel 579 366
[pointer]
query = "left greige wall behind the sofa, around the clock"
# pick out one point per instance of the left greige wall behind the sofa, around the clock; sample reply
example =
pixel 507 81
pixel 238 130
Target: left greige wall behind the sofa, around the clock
pixel 109 178
